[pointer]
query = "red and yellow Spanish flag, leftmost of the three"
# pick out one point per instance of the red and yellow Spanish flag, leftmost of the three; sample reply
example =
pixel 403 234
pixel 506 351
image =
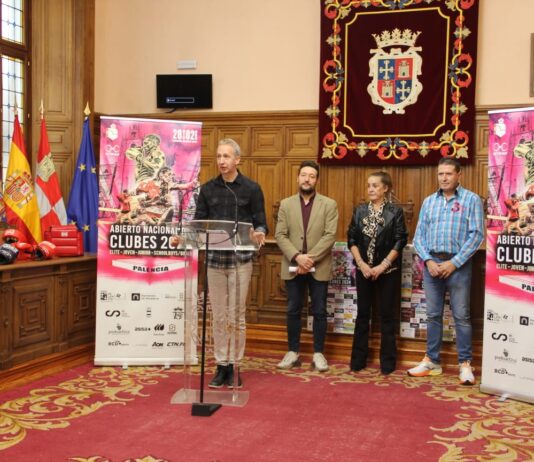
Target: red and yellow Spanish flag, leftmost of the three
pixel 22 210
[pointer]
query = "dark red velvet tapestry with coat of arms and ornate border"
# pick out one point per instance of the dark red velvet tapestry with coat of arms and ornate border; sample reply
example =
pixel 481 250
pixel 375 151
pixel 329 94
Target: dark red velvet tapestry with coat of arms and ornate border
pixel 397 84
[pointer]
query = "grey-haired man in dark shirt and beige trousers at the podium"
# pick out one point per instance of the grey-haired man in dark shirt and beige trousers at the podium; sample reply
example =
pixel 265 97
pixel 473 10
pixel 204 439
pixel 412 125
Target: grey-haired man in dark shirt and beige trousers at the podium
pixel 230 196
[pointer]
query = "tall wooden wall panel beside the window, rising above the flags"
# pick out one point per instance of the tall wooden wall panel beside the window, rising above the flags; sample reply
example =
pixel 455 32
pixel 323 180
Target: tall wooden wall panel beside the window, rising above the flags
pixel 62 76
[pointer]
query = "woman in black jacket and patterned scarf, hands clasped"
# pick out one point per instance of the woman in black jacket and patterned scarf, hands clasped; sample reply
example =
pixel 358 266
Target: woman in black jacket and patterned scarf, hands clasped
pixel 377 233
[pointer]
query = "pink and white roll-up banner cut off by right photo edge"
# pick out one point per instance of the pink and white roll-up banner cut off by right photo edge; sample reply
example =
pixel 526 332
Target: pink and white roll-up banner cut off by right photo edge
pixel 508 348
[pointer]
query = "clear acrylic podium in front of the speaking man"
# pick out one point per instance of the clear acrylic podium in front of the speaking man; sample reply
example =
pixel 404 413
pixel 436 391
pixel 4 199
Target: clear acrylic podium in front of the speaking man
pixel 209 235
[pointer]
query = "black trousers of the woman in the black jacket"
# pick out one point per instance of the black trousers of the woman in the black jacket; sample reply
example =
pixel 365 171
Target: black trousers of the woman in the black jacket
pixel 385 286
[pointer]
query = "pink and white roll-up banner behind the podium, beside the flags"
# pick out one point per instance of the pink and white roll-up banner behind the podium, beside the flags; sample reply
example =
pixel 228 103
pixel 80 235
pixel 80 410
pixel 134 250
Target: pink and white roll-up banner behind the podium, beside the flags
pixel 148 184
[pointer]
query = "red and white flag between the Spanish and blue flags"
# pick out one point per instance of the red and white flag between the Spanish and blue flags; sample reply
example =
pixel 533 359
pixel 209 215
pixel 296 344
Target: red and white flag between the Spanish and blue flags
pixel 49 196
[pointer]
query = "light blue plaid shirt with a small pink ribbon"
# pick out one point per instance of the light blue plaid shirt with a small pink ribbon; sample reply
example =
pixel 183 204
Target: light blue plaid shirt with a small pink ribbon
pixel 454 225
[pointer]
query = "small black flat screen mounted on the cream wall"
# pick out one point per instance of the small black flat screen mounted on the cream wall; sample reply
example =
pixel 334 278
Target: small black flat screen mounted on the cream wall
pixel 181 91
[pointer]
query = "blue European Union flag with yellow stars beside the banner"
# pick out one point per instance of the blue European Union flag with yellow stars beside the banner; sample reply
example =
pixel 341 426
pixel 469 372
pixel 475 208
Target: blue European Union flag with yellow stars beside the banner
pixel 82 208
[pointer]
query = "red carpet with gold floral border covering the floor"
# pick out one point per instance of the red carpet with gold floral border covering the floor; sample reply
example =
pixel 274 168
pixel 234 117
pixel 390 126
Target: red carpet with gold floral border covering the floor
pixel 106 414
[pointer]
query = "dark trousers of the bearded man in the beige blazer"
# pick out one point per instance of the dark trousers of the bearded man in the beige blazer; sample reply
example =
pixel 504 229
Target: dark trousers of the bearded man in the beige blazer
pixel 295 298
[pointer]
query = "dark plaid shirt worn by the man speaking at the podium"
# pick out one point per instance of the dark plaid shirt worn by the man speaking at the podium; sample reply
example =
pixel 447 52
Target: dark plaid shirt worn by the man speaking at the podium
pixel 217 202
